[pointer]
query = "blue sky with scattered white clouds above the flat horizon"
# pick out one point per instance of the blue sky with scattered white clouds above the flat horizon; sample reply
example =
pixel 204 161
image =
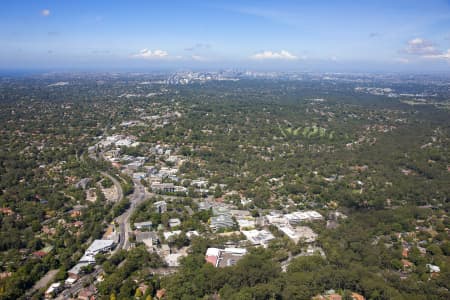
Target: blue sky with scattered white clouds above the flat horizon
pixel 302 35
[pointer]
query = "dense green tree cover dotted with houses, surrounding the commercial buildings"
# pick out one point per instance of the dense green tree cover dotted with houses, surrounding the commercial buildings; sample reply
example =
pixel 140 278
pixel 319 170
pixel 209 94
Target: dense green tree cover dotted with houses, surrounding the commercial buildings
pixel 283 144
